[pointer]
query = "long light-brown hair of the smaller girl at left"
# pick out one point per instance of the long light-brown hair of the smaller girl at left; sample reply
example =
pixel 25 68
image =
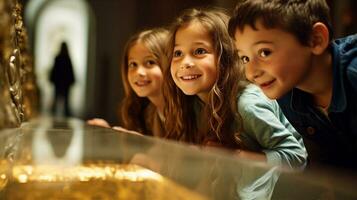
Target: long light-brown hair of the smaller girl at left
pixel 132 107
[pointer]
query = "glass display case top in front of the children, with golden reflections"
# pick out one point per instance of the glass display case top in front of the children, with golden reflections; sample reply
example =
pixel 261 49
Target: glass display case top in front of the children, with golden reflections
pixel 68 159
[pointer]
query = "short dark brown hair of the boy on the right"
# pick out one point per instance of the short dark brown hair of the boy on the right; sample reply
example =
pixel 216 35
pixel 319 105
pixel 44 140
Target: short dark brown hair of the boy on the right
pixel 294 16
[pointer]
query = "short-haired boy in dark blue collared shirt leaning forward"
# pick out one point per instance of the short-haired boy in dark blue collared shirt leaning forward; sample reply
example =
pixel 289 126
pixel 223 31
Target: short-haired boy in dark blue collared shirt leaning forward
pixel 287 50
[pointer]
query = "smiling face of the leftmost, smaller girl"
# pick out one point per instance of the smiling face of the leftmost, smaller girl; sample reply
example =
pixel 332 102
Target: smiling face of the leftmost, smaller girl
pixel 144 73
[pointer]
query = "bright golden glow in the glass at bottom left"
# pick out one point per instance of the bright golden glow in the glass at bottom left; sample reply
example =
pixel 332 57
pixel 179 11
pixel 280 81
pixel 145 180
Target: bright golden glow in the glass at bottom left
pixel 92 181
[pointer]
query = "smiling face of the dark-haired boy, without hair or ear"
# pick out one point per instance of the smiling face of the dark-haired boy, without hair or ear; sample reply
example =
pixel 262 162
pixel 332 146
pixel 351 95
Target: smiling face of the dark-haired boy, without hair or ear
pixel 273 59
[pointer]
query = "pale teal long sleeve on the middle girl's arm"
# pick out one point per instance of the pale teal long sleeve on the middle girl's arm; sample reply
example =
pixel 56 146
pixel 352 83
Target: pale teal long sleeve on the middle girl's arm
pixel 266 129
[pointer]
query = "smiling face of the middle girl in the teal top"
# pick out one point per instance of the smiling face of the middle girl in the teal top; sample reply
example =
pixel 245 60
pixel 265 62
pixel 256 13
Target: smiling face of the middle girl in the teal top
pixel 193 65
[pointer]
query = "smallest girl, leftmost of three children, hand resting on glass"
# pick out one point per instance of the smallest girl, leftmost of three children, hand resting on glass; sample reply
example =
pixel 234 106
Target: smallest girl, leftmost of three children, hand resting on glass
pixel 141 71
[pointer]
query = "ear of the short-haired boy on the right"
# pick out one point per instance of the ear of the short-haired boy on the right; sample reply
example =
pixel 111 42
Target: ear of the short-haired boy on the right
pixel 319 40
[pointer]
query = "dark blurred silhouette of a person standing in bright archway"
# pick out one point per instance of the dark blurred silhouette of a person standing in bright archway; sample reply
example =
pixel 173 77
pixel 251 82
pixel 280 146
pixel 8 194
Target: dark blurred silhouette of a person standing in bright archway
pixel 62 77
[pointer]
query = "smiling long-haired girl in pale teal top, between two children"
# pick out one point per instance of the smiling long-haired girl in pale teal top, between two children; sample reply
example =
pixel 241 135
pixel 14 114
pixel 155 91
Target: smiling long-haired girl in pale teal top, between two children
pixel 204 70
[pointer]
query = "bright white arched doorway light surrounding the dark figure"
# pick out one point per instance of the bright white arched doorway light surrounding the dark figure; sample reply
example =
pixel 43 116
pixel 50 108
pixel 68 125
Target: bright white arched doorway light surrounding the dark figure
pixel 62 20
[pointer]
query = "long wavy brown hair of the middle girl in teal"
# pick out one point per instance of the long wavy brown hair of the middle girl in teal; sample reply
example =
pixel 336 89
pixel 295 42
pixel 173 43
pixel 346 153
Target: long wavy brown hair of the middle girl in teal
pixel 181 110
